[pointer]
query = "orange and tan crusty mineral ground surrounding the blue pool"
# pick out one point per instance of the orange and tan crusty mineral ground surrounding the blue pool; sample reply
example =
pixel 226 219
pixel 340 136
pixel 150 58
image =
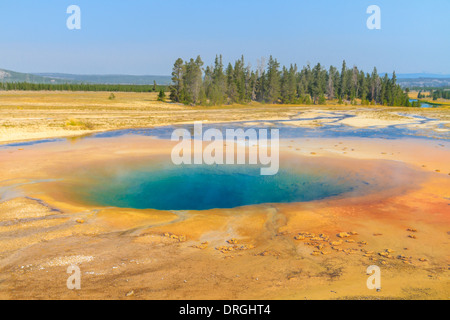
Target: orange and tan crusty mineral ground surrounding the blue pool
pixel 312 250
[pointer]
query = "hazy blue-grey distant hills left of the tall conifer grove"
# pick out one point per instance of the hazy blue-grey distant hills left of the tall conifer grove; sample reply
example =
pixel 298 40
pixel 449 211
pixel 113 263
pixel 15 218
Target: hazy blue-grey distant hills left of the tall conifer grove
pixel 59 78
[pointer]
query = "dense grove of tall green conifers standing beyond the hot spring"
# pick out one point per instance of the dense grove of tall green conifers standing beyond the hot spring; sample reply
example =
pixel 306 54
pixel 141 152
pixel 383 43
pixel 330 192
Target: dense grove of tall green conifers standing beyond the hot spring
pixel 194 84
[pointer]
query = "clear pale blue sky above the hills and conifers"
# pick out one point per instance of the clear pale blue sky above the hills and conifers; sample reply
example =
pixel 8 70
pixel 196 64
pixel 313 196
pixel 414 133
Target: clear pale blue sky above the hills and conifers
pixel 146 36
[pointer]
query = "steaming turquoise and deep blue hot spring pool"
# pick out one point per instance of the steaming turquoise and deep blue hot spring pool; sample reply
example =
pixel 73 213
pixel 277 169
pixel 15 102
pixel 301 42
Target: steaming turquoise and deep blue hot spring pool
pixel 207 187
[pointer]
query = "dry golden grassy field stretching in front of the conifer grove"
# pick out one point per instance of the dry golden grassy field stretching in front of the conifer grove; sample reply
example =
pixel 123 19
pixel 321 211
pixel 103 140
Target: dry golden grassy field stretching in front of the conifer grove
pixel 37 115
